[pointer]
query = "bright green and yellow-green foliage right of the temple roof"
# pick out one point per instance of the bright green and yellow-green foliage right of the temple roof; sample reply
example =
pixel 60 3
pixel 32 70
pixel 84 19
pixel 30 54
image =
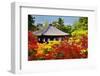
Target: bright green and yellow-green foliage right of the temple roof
pixel 80 27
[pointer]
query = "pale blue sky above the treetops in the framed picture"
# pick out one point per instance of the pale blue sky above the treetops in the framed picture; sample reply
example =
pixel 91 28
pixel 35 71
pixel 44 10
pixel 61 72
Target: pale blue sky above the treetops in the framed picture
pixel 68 20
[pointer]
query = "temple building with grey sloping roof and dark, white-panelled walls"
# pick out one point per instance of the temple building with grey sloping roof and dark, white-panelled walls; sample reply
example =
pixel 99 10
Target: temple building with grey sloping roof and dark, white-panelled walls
pixel 50 33
